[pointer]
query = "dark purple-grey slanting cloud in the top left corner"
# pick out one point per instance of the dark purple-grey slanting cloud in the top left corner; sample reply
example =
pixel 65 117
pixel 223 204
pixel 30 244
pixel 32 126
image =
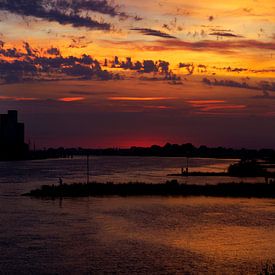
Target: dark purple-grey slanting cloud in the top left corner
pixel 62 11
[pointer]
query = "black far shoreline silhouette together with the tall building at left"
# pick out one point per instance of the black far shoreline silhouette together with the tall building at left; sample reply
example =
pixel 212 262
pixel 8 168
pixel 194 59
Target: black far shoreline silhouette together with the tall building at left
pixel 14 147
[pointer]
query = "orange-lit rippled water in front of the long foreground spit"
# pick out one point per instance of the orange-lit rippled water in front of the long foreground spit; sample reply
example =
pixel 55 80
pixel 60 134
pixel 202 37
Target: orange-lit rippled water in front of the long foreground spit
pixel 159 235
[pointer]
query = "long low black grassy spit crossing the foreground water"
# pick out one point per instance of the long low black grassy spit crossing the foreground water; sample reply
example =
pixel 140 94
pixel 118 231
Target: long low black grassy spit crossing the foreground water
pixel 170 188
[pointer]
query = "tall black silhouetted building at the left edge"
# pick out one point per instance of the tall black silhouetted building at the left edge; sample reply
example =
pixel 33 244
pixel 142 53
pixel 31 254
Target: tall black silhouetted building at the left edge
pixel 12 134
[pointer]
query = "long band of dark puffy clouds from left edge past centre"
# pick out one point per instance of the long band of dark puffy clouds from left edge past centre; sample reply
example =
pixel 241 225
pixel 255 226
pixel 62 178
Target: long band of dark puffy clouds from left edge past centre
pixel 32 64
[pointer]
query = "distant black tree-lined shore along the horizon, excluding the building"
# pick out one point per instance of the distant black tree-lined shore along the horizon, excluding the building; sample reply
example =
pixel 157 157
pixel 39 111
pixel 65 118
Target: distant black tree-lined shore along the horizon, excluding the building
pixel 168 150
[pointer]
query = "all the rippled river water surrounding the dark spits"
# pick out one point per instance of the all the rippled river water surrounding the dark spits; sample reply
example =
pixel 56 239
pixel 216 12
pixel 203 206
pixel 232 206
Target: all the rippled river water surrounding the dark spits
pixel 128 235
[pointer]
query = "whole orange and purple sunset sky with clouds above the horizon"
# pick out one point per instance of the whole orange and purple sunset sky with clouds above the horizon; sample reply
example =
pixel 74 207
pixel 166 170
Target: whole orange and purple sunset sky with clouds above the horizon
pixel 97 73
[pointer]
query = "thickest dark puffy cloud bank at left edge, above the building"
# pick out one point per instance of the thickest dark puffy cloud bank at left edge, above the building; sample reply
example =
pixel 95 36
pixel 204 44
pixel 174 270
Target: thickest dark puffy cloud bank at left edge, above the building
pixel 31 66
